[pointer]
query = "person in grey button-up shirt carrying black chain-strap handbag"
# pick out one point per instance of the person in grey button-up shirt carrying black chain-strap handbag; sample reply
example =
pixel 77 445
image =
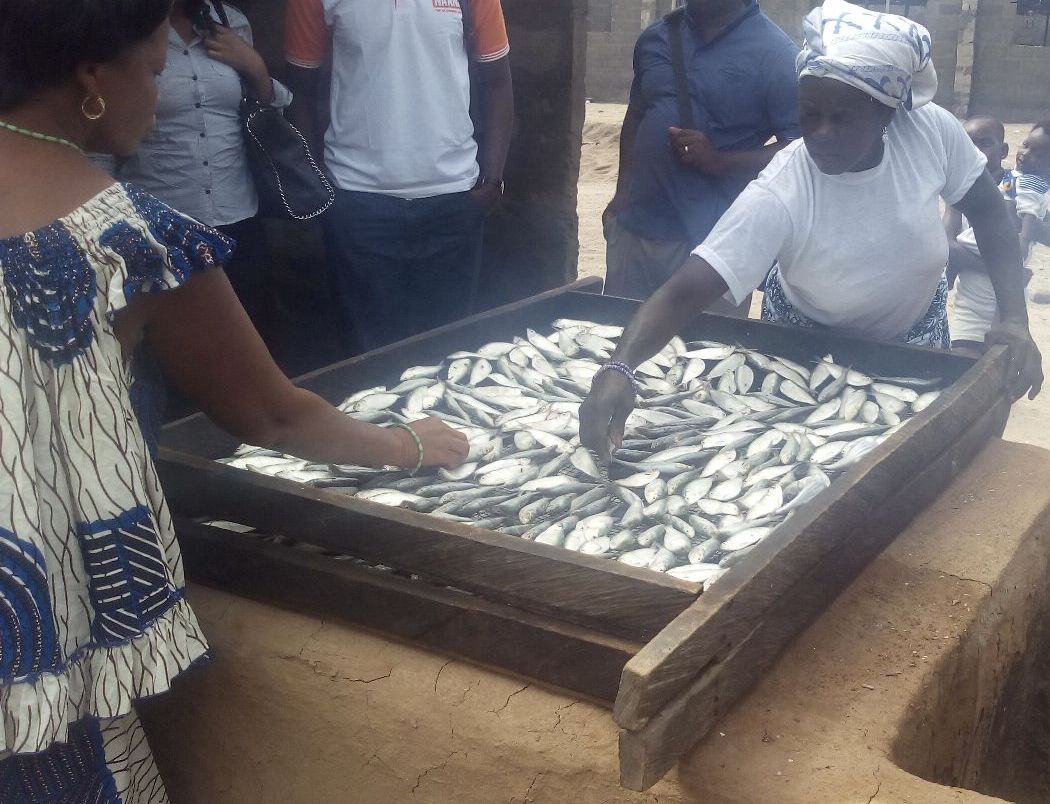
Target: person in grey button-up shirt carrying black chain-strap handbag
pixel 196 159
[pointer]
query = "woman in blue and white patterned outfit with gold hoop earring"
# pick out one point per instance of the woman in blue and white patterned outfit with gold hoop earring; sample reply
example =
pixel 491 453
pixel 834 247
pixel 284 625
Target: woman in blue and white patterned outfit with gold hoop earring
pixel 93 615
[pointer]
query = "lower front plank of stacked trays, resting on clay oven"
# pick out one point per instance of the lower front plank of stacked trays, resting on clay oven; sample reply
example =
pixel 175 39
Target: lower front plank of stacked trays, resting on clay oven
pixel 562 657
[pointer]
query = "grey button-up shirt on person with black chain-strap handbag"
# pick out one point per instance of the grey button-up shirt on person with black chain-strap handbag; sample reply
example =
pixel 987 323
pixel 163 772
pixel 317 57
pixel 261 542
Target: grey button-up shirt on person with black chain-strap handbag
pixel 196 158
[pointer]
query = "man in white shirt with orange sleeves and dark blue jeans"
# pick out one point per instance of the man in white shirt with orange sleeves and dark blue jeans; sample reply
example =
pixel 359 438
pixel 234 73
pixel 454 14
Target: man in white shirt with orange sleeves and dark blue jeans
pixel 413 187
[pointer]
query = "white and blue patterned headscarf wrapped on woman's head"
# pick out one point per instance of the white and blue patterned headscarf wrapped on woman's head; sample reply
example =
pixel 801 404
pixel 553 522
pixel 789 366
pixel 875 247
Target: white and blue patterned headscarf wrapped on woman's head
pixel 885 55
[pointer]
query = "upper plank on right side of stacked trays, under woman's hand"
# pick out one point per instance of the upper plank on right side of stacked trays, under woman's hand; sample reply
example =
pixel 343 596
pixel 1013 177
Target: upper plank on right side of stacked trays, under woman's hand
pixel 730 609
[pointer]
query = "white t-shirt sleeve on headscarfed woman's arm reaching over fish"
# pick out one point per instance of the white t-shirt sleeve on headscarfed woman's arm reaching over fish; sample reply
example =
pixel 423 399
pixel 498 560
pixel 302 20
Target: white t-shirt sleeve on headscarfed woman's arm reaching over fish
pixel 746 242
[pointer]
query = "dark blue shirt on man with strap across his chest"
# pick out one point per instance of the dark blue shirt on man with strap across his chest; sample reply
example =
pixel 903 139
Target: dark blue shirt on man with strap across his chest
pixel 744 89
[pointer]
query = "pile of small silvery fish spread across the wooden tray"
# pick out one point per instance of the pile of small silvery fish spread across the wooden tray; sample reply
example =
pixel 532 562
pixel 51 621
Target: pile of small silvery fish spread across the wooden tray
pixel 726 443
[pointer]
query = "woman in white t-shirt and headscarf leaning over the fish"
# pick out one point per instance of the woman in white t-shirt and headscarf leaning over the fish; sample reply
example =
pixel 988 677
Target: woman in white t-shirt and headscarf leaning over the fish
pixel 850 216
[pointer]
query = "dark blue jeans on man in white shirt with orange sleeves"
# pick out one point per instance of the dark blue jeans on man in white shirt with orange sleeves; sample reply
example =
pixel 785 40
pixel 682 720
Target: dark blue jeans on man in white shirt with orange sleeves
pixel 402 267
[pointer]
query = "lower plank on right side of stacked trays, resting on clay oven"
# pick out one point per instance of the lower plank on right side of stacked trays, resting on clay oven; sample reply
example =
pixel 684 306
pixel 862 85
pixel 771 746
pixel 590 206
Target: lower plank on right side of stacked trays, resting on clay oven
pixel 646 755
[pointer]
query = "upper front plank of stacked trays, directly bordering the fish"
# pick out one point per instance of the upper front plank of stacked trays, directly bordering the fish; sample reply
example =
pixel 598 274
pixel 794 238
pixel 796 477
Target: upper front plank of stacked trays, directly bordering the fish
pixel 590 591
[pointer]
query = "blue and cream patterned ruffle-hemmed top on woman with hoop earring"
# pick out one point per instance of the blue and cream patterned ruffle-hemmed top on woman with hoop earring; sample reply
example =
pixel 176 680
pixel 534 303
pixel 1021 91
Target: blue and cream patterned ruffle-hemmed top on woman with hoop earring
pixel 92 608
